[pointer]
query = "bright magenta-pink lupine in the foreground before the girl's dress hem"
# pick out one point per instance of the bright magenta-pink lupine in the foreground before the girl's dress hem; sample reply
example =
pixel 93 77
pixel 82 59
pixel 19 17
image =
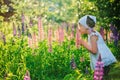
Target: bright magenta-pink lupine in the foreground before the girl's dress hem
pixel 99 71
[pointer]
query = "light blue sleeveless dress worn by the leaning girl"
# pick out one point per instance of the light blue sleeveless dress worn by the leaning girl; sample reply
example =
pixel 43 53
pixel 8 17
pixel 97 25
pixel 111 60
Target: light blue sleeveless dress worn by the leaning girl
pixel 106 55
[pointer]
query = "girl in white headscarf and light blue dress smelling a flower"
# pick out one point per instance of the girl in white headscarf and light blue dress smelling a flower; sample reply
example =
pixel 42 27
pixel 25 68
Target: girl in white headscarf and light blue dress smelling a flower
pixel 95 44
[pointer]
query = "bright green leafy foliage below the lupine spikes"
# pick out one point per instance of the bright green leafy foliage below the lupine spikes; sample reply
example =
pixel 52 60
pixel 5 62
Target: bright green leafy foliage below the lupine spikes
pixel 17 57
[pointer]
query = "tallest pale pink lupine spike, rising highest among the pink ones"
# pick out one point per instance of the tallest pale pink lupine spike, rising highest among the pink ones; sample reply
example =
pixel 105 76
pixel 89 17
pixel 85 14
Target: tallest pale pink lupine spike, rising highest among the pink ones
pixel 40 29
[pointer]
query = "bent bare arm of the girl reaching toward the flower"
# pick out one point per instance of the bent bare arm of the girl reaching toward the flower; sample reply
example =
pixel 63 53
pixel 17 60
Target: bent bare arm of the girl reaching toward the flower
pixel 93 47
